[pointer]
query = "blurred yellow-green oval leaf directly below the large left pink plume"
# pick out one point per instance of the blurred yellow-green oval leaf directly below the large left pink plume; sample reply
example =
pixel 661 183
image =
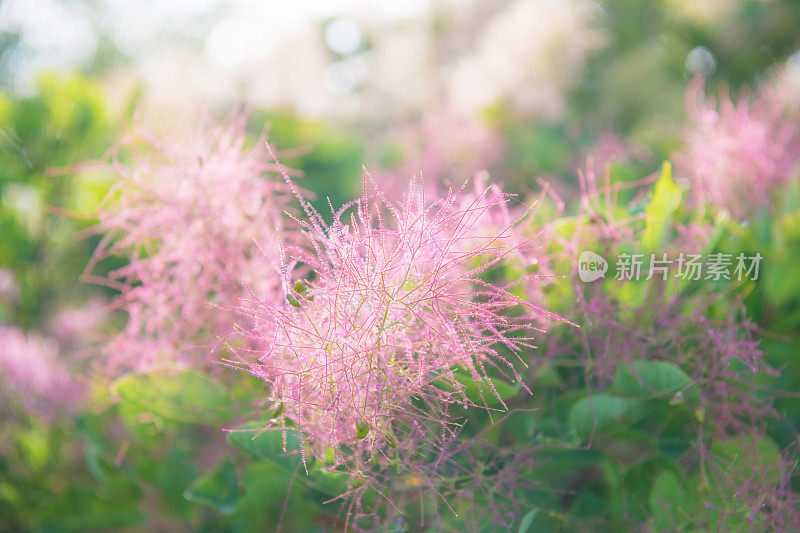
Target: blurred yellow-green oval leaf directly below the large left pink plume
pixel 185 397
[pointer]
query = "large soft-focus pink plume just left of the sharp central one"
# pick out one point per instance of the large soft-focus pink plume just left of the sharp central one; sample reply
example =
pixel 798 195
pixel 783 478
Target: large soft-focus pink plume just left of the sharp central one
pixel 197 217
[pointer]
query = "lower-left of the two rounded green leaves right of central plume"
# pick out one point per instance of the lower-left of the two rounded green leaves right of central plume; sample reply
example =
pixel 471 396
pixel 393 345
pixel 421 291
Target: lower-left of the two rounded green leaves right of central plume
pixel 599 414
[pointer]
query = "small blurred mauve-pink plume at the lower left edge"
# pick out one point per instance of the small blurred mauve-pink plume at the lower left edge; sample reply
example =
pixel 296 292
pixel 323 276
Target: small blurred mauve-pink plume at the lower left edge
pixel 32 374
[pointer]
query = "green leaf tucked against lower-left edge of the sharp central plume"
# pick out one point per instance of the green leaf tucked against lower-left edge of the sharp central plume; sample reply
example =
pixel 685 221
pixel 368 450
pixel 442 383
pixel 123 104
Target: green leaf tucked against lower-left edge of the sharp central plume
pixel 268 445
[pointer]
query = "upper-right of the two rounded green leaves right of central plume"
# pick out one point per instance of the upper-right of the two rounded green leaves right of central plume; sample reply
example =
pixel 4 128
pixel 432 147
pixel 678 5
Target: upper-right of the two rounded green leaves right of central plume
pixel 650 378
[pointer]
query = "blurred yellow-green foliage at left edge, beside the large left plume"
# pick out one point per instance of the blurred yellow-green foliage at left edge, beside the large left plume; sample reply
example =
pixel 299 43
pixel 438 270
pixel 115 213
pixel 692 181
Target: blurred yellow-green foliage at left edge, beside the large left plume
pixel 44 203
